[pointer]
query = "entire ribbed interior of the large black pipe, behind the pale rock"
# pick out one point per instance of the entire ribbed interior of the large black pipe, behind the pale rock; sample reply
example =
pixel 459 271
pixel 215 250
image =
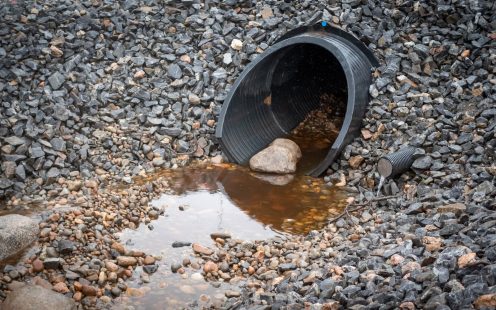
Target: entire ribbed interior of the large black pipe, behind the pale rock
pixel 278 94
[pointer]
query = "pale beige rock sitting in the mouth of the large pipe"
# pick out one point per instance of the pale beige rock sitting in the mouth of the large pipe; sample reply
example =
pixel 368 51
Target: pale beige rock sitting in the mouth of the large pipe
pixel 280 157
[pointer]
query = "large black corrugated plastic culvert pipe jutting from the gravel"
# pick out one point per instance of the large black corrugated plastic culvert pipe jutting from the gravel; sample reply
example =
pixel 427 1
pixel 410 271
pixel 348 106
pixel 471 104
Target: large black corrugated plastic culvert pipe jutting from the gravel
pixel 280 87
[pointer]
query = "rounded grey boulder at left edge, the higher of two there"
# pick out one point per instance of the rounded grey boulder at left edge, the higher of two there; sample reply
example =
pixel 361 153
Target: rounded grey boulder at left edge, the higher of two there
pixel 16 233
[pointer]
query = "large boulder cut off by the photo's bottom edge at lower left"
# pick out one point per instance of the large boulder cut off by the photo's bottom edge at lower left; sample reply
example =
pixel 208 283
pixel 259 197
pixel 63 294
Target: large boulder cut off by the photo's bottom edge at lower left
pixel 34 297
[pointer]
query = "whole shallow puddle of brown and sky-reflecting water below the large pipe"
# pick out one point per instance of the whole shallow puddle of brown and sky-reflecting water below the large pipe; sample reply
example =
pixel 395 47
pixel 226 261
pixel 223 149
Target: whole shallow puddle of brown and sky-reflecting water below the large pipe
pixel 222 198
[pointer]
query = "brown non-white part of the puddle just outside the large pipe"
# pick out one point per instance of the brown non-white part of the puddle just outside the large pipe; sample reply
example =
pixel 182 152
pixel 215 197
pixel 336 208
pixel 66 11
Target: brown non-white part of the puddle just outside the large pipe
pixel 292 204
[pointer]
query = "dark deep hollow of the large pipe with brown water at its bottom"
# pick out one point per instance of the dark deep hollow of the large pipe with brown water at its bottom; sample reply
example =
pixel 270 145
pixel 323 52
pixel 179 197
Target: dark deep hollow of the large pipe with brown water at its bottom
pixel 309 95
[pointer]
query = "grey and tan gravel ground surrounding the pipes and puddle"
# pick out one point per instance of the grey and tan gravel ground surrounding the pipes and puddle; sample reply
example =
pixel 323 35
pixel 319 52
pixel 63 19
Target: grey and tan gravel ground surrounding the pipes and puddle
pixel 95 92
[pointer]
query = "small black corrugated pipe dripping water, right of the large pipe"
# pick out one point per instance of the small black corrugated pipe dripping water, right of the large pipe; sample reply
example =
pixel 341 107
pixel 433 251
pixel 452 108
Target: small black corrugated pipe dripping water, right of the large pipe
pixel 396 163
